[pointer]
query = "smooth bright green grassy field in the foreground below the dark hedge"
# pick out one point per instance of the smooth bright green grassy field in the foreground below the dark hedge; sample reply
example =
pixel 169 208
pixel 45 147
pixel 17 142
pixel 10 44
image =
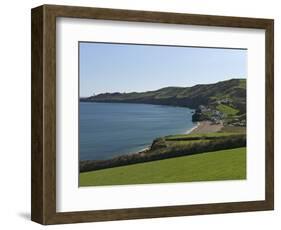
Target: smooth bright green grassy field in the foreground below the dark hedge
pixel 220 165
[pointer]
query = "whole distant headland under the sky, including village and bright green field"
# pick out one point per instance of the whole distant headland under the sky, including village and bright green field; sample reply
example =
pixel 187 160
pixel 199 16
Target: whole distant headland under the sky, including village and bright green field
pixel 223 101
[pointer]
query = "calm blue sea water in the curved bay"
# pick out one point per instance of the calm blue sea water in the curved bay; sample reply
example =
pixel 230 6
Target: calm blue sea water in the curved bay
pixel 112 129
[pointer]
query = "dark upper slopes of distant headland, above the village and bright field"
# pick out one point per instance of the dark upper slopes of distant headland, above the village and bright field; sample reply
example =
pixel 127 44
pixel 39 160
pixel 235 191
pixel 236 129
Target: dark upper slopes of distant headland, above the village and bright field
pixel 192 97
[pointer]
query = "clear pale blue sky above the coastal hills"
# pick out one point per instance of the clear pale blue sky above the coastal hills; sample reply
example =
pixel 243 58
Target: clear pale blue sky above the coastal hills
pixel 128 68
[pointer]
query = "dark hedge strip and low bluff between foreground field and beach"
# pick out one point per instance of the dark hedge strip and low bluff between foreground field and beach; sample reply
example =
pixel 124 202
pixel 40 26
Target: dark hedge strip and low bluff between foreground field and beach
pixel 170 147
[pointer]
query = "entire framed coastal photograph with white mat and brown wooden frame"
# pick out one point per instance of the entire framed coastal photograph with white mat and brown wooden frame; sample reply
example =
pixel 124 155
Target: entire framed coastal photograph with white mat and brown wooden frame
pixel 141 114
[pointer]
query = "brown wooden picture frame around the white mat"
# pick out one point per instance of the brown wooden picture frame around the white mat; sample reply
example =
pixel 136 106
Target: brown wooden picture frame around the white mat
pixel 43 189
